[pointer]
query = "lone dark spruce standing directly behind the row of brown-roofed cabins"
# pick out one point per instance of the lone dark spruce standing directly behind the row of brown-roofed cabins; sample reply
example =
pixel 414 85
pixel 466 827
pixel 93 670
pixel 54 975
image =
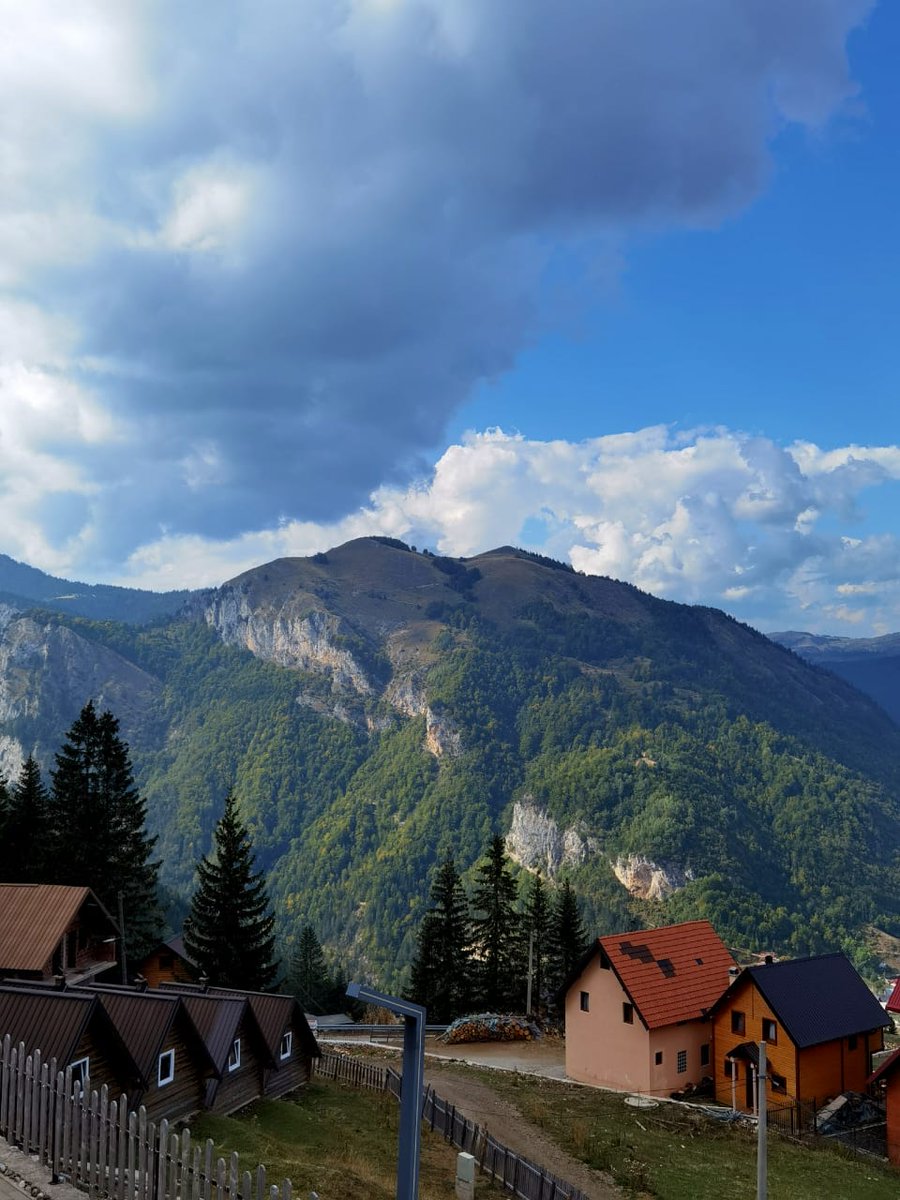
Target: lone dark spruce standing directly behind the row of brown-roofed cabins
pixel 229 932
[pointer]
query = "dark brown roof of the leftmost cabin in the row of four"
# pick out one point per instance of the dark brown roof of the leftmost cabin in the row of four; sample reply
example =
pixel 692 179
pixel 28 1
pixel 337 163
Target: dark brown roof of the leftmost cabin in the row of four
pixel 55 1023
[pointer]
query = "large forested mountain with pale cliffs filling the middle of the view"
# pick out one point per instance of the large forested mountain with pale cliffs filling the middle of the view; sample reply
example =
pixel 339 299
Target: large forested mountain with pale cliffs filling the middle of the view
pixel 376 710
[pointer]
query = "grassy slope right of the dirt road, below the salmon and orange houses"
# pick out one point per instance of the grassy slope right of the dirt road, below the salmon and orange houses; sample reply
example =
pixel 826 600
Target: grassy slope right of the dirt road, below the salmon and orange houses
pixel 674 1154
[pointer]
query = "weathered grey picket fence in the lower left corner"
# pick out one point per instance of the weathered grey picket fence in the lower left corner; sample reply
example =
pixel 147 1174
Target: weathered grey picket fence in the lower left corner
pixel 95 1143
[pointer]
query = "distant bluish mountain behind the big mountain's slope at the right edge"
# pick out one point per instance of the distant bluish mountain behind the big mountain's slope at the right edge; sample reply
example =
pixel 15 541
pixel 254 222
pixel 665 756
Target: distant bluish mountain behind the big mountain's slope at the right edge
pixel 871 664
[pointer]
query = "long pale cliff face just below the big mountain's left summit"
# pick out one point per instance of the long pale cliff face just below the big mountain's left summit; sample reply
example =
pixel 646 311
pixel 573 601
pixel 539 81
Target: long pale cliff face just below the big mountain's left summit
pixel 309 640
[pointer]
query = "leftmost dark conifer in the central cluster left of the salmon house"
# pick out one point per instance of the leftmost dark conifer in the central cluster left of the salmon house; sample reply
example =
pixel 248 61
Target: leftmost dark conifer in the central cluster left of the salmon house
pixel 441 976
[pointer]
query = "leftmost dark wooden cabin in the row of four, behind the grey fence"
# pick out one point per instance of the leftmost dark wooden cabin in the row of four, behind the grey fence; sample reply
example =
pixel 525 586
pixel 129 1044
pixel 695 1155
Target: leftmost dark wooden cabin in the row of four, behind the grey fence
pixel 75 1030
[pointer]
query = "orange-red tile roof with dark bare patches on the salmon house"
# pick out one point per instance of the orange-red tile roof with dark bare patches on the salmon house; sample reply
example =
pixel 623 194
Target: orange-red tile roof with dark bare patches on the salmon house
pixel 673 974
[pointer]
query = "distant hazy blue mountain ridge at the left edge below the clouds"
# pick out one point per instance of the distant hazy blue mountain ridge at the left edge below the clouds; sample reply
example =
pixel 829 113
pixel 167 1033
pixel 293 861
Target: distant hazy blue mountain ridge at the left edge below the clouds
pixel 25 587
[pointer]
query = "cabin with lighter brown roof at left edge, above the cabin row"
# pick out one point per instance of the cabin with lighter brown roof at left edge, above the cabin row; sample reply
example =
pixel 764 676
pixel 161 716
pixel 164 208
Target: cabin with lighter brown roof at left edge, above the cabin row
pixel 51 932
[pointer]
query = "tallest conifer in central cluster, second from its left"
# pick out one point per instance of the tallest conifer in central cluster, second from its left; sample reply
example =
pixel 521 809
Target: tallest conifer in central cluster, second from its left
pixel 496 934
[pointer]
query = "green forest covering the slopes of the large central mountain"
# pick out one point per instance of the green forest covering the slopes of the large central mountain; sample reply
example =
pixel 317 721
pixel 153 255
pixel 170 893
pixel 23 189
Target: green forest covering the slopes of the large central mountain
pixel 664 731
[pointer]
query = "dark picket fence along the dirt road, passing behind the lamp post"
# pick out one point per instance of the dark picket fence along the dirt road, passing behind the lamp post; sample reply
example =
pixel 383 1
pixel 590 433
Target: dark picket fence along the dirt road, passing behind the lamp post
pixel 513 1172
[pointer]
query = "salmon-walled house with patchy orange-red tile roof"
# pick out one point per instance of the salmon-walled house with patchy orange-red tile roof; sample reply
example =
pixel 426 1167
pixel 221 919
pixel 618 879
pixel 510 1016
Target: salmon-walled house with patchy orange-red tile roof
pixel 635 1011
